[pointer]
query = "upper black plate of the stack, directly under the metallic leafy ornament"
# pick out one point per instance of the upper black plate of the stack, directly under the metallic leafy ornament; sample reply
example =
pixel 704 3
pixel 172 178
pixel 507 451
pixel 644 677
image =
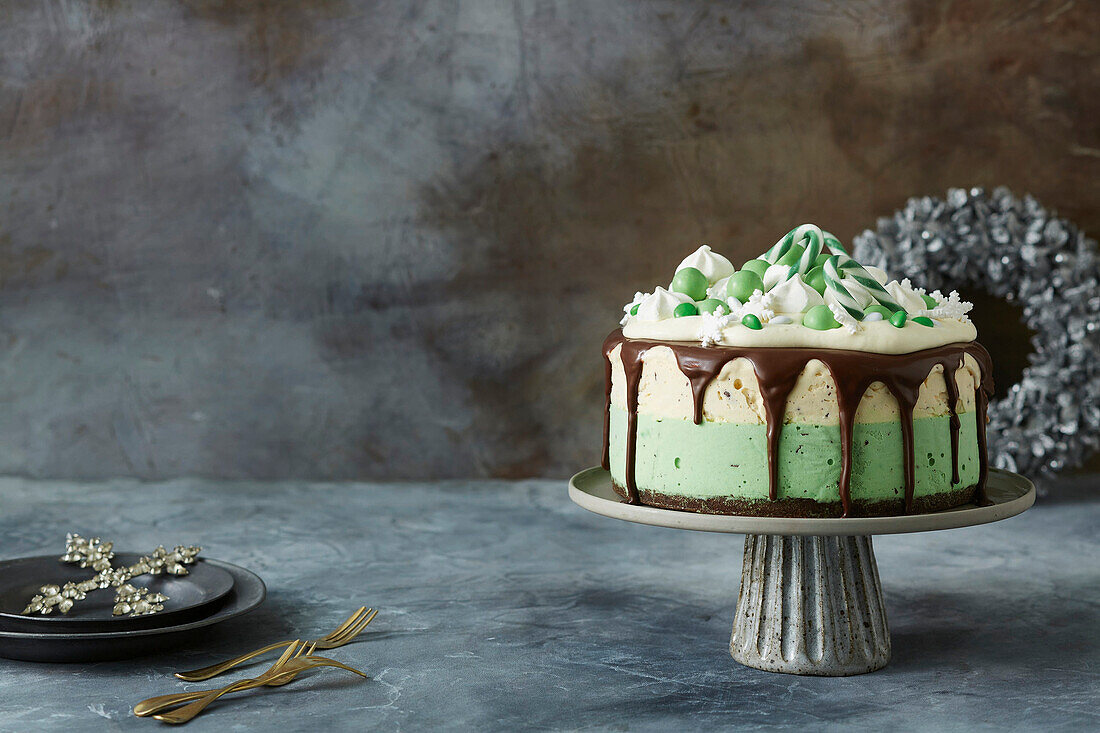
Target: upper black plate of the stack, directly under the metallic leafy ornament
pixel 191 597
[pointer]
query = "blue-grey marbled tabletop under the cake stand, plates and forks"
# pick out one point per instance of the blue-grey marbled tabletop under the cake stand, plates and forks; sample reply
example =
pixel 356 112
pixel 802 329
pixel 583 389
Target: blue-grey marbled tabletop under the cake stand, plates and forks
pixel 505 607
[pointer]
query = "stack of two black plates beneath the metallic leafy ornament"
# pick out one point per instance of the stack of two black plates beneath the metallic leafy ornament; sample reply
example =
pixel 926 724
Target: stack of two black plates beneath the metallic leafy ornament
pixel 214 592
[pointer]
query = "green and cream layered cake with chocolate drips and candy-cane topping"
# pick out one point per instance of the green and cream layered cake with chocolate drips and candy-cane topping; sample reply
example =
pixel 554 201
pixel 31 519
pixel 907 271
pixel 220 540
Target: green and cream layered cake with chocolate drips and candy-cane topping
pixel 802 385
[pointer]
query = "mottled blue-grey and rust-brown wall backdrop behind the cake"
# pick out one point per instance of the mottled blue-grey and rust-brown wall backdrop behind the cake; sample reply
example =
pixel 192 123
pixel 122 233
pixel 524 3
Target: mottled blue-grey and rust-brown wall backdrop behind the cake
pixel 383 240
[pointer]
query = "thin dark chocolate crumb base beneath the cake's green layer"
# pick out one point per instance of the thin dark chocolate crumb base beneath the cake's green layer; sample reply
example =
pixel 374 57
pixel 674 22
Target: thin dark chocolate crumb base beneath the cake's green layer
pixel 800 508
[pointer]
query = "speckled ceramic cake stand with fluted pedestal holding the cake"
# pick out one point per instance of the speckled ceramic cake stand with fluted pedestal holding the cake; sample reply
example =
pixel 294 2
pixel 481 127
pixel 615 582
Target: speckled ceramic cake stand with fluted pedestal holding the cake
pixel 810 603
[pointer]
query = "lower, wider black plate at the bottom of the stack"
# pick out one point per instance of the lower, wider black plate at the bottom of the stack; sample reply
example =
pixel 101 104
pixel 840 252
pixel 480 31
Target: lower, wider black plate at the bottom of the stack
pixel 248 594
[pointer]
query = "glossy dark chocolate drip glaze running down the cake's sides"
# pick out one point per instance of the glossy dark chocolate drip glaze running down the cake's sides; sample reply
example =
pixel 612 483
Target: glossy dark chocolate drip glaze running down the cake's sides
pixel 777 371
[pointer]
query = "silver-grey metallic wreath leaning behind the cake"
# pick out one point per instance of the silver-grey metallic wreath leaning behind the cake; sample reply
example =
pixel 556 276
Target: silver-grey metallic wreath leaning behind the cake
pixel 1015 249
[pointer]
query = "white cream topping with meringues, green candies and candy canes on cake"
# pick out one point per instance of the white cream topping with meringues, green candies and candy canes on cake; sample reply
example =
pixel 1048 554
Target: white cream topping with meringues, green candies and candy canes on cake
pixel 871 312
